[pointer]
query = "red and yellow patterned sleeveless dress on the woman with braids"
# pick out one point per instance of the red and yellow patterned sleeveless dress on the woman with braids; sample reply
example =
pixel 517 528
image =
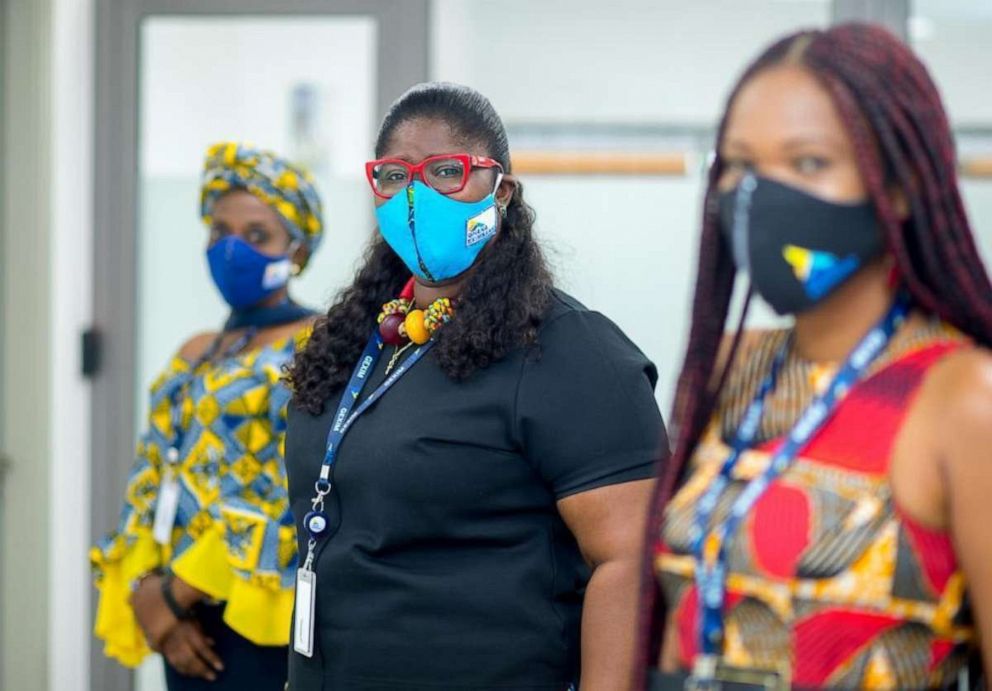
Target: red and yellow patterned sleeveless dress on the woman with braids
pixel 829 583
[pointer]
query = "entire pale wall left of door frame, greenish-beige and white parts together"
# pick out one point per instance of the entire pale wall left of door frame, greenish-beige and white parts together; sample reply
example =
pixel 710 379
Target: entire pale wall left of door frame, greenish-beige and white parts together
pixel 47 242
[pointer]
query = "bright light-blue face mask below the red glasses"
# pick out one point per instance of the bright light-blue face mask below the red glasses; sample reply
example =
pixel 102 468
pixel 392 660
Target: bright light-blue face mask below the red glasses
pixel 437 237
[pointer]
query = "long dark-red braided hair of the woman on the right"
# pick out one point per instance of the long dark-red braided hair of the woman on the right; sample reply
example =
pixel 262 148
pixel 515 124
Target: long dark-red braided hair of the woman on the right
pixel 893 112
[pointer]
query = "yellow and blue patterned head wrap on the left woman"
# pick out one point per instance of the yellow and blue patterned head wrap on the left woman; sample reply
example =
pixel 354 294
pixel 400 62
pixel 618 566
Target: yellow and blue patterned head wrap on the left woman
pixel 288 189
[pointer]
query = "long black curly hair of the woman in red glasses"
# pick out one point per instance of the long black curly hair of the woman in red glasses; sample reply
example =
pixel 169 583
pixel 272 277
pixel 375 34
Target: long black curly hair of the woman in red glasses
pixel 502 301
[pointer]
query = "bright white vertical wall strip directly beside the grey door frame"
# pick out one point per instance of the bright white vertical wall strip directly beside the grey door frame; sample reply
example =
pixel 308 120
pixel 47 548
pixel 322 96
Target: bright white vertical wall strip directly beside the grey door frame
pixel 70 200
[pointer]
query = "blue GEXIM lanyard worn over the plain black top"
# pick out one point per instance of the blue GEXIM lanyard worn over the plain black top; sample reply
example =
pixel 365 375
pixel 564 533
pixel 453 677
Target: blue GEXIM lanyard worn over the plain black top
pixel 315 521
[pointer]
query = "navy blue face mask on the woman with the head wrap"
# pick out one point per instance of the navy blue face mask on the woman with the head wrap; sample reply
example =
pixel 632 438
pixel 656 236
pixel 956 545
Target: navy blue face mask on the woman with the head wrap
pixel 243 275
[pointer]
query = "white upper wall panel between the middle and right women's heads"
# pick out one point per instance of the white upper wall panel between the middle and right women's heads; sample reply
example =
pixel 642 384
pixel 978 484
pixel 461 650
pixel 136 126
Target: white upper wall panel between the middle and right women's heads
pixel 650 61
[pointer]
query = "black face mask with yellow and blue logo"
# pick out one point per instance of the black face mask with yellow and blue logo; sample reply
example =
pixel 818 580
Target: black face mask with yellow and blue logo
pixel 798 248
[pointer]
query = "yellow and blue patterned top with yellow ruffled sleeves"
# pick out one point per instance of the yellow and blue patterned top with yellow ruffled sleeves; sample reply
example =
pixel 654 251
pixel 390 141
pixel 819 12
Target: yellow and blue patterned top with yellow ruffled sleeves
pixel 233 536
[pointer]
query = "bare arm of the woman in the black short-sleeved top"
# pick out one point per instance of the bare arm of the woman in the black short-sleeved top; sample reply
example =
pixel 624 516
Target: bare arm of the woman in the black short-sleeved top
pixel 608 523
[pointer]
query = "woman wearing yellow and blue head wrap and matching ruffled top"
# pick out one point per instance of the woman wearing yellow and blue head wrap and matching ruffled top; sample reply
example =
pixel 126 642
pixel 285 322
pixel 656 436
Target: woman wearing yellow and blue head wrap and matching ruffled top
pixel 202 563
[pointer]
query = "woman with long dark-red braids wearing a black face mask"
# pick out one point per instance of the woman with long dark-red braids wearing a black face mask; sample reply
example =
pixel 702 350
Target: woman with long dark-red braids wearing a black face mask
pixel 824 520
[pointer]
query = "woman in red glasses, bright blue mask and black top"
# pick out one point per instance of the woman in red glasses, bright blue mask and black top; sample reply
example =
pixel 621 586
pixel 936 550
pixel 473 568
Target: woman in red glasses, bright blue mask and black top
pixel 468 447
